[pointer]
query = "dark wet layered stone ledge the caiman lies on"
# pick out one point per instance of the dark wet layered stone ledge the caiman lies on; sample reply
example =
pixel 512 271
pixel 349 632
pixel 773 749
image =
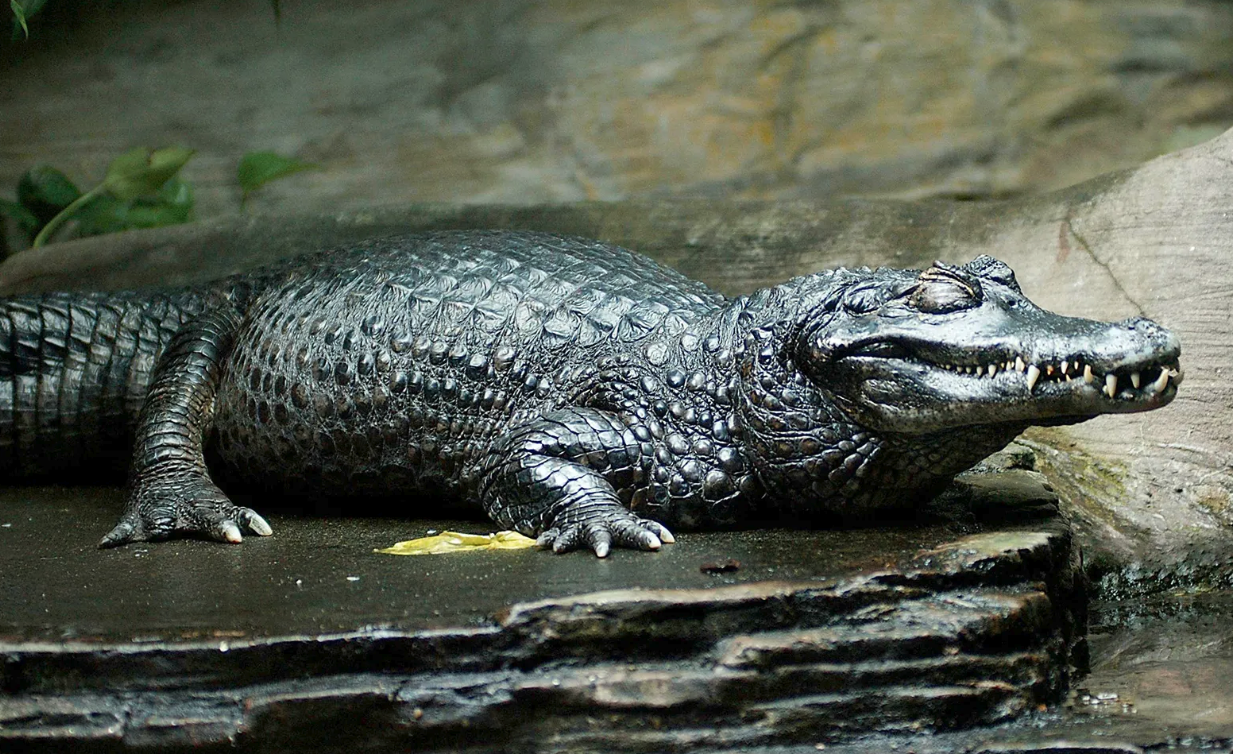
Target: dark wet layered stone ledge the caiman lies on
pixel 969 615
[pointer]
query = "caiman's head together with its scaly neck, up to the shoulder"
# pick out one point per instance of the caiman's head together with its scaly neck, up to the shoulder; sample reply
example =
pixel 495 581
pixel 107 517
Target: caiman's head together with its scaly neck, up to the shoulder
pixel 909 378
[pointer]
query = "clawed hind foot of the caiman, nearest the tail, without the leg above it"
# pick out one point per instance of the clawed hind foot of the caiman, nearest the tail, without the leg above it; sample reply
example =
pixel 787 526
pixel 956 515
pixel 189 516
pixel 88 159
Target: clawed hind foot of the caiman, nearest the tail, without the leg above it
pixel 184 509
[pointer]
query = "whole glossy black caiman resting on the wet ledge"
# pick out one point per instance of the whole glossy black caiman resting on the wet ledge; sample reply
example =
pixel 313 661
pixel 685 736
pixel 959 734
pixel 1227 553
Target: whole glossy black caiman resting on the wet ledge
pixel 571 390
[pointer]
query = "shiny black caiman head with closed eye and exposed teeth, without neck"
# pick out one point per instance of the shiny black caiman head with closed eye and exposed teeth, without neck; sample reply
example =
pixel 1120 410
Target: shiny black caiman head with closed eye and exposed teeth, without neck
pixel 960 347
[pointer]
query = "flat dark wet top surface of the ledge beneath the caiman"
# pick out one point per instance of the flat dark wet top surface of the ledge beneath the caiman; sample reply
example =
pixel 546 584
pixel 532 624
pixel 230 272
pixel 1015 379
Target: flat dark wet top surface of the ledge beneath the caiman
pixel 321 575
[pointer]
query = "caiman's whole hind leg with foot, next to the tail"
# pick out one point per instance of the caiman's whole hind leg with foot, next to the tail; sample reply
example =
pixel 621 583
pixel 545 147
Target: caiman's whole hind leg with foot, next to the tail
pixel 170 488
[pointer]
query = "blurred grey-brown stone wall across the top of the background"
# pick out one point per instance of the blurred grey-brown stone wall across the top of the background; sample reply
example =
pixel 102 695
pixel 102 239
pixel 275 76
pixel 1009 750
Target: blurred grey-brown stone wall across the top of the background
pixel 568 100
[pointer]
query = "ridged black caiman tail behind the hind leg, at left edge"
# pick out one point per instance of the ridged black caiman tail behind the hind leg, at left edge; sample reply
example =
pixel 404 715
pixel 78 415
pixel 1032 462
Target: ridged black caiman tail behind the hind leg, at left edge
pixel 75 369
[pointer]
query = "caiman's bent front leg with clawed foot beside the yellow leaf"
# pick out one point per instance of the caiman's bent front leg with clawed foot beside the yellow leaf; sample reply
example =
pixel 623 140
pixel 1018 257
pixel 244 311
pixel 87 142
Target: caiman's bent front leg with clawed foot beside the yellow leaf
pixel 558 476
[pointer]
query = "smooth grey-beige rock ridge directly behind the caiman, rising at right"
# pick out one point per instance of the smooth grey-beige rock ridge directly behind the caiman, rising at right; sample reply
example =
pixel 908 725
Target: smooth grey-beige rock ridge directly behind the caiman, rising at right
pixel 1151 492
